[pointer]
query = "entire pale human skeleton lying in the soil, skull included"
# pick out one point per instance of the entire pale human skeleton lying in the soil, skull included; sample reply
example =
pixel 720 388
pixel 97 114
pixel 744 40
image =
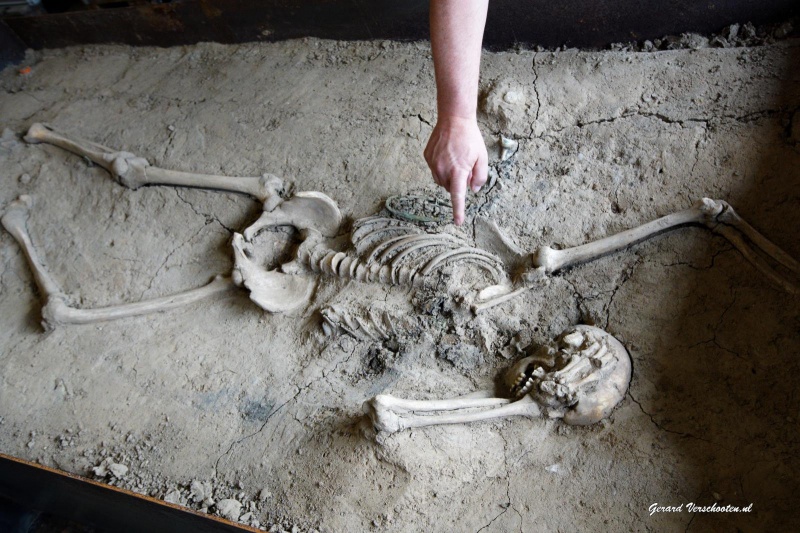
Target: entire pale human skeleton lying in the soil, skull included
pixel 580 380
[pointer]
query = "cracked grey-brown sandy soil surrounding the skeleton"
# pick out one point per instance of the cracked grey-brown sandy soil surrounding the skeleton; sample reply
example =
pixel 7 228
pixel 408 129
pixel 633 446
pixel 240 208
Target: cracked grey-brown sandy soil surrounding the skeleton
pixel 222 401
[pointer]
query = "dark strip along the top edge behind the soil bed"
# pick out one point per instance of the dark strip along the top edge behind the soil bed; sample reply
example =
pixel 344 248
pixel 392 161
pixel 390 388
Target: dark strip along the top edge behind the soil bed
pixel 574 23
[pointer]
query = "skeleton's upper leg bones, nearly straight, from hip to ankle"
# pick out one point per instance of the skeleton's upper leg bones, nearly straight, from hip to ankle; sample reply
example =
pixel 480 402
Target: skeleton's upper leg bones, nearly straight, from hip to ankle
pixel 134 172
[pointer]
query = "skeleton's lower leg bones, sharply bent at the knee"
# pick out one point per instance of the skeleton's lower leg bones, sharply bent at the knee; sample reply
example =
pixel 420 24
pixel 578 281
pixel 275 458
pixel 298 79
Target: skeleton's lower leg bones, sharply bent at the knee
pixel 57 311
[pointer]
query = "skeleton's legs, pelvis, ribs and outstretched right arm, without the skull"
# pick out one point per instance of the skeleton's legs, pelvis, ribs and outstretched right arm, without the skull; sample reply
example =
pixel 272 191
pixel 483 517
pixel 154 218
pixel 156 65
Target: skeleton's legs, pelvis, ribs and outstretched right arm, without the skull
pixel 385 250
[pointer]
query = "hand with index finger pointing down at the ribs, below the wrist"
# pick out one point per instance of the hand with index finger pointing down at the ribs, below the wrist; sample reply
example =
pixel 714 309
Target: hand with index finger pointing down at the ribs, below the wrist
pixel 457 158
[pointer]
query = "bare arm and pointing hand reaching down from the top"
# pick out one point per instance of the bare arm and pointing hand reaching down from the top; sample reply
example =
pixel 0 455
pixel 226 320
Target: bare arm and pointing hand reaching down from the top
pixel 455 152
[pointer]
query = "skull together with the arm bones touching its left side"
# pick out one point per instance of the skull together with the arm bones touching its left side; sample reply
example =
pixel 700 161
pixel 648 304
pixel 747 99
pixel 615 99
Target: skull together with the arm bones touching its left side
pixel 581 378
